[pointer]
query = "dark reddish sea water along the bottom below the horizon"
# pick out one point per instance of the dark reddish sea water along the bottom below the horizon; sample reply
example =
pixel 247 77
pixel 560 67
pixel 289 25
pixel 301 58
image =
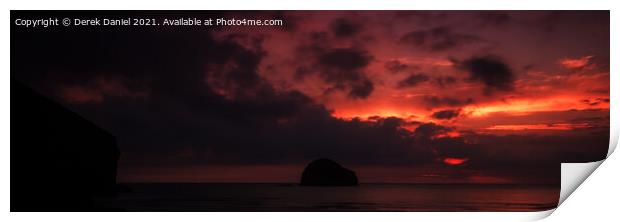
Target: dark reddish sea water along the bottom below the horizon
pixel 366 197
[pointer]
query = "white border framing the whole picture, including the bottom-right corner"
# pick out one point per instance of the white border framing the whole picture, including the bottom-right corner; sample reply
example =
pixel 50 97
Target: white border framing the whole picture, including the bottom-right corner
pixel 586 208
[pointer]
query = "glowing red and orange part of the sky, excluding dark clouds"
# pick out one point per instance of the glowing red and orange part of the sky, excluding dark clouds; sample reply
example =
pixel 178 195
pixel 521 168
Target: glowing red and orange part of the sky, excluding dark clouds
pixel 555 70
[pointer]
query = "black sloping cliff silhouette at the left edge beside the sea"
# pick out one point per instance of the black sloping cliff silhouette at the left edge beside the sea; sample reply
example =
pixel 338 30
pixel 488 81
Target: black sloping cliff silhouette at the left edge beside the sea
pixel 59 160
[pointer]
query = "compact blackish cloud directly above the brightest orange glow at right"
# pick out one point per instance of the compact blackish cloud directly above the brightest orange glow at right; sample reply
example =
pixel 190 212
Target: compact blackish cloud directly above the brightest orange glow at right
pixel 491 71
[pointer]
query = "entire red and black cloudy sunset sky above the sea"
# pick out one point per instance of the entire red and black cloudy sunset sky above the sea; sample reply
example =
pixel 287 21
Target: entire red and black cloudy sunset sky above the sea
pixel 397 96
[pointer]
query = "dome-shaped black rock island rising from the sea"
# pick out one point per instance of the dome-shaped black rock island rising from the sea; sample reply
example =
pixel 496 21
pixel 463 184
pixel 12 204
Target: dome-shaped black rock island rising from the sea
pixel 325 172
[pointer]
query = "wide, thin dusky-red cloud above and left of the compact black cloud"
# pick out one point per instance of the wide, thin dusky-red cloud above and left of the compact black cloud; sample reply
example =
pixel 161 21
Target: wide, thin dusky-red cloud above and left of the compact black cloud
pixel 437 39
